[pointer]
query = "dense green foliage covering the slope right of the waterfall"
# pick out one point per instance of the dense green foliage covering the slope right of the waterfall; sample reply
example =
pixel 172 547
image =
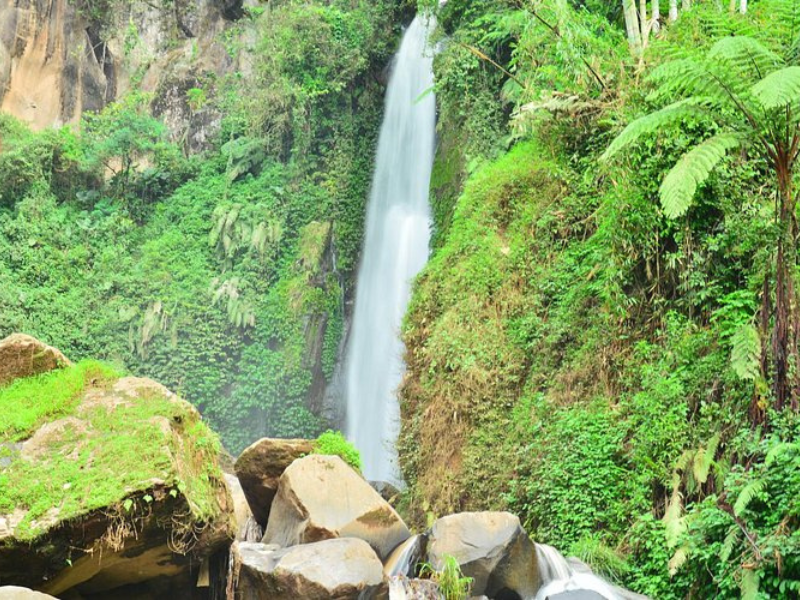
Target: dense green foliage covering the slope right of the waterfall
pixel 617 316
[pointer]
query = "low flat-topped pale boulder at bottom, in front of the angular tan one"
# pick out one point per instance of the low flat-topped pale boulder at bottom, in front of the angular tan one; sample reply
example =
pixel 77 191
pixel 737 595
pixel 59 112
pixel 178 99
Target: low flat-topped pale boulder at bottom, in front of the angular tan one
pixel 343 569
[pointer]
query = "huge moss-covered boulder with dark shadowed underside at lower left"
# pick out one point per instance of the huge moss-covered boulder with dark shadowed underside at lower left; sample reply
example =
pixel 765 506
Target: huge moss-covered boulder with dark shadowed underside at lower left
pixel 105 481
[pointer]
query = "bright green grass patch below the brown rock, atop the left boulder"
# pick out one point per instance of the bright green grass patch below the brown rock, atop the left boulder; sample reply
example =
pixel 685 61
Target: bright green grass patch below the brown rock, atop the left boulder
pixel 26 403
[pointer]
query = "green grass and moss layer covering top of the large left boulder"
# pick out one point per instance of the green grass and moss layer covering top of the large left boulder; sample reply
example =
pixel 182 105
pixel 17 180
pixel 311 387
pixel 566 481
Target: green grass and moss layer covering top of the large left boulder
pixel 131 439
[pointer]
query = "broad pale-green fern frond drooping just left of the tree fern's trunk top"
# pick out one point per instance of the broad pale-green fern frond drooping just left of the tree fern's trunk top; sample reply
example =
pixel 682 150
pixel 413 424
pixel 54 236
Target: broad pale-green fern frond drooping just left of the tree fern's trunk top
pixel 692 170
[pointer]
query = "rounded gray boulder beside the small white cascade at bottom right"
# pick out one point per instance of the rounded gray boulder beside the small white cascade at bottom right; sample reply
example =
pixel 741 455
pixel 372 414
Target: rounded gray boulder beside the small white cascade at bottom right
pixel 490 547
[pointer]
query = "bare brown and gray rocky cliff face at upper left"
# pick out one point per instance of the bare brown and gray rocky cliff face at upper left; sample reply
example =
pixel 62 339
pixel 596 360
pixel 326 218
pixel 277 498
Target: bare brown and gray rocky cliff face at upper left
pixel 60 58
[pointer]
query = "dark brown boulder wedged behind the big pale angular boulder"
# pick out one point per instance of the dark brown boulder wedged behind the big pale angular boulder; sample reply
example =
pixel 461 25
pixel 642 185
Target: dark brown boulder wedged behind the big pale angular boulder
pixel 259 469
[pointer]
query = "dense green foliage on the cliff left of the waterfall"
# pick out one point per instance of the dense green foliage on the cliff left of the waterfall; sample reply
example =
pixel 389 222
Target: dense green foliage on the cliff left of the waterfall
pixel 225 275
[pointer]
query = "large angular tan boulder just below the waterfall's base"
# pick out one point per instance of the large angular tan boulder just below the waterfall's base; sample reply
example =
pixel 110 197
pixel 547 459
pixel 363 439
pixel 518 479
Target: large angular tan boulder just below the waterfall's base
pixel 321 497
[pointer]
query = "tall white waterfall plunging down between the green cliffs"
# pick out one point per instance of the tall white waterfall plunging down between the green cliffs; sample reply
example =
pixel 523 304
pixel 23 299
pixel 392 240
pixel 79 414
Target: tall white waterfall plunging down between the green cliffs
pixel 395 250
